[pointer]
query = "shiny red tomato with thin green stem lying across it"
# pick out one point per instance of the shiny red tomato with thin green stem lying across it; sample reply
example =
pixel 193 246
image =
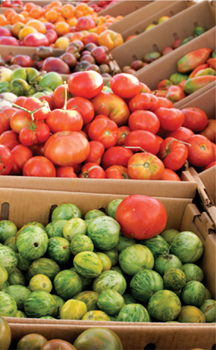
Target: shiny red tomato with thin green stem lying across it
pixel 32 104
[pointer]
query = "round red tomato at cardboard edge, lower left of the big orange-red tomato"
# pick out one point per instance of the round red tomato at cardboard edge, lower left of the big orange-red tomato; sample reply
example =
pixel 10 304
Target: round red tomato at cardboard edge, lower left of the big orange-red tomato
pixel 39 166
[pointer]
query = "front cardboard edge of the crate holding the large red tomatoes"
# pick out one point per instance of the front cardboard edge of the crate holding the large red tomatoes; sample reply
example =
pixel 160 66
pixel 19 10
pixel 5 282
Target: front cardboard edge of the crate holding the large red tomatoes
pixel 183 189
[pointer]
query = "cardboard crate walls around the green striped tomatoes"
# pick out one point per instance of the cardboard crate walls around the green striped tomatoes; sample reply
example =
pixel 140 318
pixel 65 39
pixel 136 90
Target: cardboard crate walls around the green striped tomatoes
pixel 182 215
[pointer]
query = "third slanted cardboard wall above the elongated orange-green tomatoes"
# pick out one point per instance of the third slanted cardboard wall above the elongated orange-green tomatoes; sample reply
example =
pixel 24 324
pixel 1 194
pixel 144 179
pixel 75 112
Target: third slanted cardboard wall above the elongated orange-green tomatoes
pixel 137 22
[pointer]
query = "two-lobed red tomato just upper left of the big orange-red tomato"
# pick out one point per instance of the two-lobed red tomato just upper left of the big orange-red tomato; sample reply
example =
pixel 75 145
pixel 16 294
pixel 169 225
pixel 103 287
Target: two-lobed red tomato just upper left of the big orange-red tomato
pixel 35 133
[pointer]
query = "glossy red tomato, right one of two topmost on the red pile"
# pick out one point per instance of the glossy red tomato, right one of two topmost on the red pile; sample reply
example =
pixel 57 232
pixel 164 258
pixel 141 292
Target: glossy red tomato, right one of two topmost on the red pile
pixel 125 85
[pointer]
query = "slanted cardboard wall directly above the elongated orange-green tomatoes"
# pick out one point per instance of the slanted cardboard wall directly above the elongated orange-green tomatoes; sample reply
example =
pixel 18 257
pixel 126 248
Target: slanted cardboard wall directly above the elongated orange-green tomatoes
pixel 167 65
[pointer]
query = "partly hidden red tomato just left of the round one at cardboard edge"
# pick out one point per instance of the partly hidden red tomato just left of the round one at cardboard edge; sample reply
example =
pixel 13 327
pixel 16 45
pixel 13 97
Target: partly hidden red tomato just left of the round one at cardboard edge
pixel 21 154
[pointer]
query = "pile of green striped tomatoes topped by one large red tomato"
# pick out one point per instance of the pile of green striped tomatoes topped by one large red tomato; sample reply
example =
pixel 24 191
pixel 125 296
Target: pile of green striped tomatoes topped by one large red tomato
pixel 111 265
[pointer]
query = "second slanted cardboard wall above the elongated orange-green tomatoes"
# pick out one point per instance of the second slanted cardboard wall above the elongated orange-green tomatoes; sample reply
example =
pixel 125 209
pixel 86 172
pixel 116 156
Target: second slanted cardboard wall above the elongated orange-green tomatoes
pixel 163 35
